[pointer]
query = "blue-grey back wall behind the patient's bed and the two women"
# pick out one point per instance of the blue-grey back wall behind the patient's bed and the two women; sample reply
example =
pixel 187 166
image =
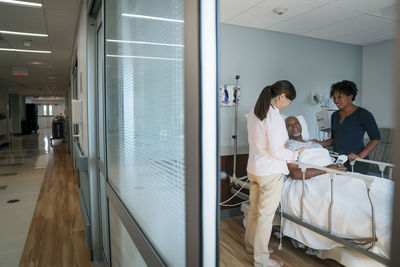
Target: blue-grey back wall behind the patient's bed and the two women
pixel 262 57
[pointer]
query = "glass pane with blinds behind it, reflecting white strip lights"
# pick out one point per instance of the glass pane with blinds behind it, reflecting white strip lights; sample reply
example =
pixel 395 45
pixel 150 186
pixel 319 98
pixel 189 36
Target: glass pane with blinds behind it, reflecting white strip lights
pixel 144 110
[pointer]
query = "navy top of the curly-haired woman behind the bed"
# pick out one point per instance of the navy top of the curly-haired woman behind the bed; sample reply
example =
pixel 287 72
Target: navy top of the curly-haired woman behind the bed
pixel 348 136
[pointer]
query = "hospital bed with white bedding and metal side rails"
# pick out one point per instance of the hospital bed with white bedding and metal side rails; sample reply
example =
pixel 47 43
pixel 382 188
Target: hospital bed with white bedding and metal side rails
pixel 330 226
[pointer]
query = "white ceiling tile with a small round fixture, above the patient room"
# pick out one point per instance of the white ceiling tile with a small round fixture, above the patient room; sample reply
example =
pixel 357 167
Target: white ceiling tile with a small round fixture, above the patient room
pixel 263 17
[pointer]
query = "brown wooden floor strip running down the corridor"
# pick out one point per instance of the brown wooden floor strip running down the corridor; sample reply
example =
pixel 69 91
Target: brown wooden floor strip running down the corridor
pixel 56 235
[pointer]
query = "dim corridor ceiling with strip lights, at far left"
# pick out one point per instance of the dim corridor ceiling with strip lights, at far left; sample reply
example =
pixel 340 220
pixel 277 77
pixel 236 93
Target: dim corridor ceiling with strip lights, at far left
pixel 47 74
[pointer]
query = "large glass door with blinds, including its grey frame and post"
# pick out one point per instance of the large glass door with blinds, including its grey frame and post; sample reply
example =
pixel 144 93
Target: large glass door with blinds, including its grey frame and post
pixel 154 180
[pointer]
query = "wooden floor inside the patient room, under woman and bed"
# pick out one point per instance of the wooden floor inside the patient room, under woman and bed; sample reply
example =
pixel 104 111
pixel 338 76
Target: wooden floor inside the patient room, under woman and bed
pixel 232 251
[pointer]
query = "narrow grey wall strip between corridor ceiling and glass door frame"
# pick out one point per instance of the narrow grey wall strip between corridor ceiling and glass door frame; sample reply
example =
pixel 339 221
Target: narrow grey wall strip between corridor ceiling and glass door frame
pixel 81 55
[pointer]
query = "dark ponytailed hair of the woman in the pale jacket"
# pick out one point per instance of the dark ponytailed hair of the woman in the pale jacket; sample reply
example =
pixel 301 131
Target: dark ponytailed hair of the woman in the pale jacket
pixel 271 91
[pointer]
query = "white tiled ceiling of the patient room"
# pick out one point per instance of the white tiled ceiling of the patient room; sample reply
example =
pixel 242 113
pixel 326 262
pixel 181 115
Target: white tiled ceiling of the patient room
pixel 359 22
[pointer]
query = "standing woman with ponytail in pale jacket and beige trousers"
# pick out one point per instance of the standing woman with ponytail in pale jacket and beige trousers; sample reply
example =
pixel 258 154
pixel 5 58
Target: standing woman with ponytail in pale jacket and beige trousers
pixel 268 158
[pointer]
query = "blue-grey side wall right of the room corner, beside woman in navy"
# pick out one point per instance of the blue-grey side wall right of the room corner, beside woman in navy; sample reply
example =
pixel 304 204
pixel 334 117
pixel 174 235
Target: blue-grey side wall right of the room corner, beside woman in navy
pixel 378 82
